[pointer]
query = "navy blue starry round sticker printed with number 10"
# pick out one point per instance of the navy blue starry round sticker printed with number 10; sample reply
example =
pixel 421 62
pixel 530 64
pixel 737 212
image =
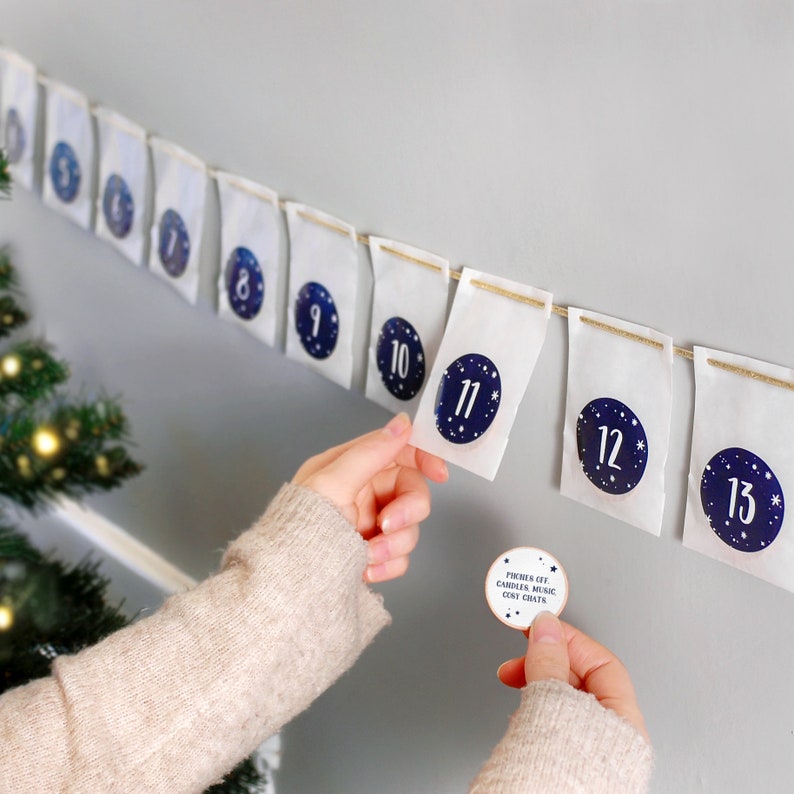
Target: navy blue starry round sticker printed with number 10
pixel 400 358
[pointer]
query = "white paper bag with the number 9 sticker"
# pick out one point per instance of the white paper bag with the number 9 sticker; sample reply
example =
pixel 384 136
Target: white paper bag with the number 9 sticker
pixel 322 292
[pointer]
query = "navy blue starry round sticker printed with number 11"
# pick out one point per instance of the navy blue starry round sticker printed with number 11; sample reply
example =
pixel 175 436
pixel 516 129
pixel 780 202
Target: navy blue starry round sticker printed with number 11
pixel 468 398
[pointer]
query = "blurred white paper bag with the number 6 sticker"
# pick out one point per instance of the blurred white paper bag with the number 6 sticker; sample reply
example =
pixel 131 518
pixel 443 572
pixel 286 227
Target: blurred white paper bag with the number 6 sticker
pixel 123 171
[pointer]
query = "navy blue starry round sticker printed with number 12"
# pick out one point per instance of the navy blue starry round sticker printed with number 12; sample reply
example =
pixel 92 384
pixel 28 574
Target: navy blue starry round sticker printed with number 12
pixel 612 445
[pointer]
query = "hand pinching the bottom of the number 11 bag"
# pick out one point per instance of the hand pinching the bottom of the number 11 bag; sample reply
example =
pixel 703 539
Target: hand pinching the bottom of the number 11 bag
pixel 378 483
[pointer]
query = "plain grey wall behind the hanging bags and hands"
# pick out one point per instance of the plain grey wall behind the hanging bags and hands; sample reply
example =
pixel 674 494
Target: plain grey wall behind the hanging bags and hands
pixel 635 158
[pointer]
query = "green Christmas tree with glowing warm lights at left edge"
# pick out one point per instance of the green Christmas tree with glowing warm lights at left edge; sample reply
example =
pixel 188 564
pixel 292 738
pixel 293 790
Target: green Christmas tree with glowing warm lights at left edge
pixel 52 445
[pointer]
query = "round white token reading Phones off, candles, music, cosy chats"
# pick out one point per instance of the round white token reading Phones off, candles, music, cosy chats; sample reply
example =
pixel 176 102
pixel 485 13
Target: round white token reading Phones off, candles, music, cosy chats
pixel 523 582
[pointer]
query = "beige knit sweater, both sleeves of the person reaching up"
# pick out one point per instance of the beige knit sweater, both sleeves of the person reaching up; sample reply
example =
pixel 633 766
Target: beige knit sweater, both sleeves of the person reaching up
pixel 174 701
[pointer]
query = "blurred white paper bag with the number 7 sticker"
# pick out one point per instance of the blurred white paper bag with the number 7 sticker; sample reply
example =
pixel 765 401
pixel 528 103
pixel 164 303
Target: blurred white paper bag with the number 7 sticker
pixel 180 181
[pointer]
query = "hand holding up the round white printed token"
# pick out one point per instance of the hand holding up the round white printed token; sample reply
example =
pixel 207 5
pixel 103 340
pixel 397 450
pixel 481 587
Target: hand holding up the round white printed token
pixel 558 650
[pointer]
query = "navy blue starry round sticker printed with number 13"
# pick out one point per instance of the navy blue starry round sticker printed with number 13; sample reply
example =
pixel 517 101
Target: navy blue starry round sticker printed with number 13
pixel 742 499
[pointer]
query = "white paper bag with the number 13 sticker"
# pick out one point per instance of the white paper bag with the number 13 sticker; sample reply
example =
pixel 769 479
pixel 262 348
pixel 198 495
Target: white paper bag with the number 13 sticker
pixel 742 465
